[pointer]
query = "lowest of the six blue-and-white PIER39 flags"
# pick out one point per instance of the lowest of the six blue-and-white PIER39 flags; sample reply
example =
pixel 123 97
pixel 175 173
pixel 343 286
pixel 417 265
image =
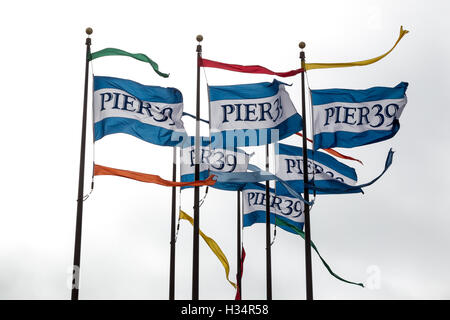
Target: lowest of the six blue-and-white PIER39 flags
pixel 282 206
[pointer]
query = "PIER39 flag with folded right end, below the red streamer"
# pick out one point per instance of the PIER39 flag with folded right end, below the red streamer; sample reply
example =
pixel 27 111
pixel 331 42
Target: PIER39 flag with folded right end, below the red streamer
pixel 252 114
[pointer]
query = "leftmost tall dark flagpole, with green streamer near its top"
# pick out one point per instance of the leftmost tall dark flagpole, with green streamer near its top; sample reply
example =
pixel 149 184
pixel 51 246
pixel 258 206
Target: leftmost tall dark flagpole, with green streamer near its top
pixel 77 250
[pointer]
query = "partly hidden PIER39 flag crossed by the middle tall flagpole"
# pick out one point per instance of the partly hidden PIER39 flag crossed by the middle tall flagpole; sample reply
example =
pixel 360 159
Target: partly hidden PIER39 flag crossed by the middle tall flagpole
pixel 213 160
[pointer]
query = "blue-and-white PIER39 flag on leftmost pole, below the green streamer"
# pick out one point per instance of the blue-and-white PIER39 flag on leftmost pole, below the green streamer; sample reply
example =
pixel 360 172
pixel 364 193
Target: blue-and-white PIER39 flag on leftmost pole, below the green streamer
pixel 150 113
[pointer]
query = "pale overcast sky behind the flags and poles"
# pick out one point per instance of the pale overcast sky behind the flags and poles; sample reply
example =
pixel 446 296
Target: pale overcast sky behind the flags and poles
pixel 396 232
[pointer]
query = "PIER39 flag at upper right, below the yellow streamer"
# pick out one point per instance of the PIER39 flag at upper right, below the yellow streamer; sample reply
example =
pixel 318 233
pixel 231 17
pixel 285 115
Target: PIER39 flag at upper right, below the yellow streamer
pixel 350 118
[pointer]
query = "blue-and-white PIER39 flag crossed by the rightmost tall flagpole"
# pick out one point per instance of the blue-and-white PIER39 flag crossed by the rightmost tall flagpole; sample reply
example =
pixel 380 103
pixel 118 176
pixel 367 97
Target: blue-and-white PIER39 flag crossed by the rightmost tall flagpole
pixel 330 176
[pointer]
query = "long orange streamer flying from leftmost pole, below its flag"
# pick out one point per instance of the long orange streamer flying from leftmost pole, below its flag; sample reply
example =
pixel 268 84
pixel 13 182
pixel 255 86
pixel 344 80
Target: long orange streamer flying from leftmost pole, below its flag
pixel 149 178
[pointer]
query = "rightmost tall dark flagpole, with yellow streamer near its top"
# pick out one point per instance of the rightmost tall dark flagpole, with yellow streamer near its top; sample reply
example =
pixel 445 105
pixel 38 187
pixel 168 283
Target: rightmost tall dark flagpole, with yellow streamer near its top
pixel 308 264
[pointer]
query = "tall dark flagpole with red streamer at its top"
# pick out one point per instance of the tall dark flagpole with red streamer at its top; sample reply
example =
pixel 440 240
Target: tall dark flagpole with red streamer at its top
pixel 195 263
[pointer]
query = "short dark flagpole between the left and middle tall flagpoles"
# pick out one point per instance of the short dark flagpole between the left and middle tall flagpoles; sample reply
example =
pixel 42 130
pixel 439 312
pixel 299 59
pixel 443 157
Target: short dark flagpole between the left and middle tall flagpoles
pixel 172 229
